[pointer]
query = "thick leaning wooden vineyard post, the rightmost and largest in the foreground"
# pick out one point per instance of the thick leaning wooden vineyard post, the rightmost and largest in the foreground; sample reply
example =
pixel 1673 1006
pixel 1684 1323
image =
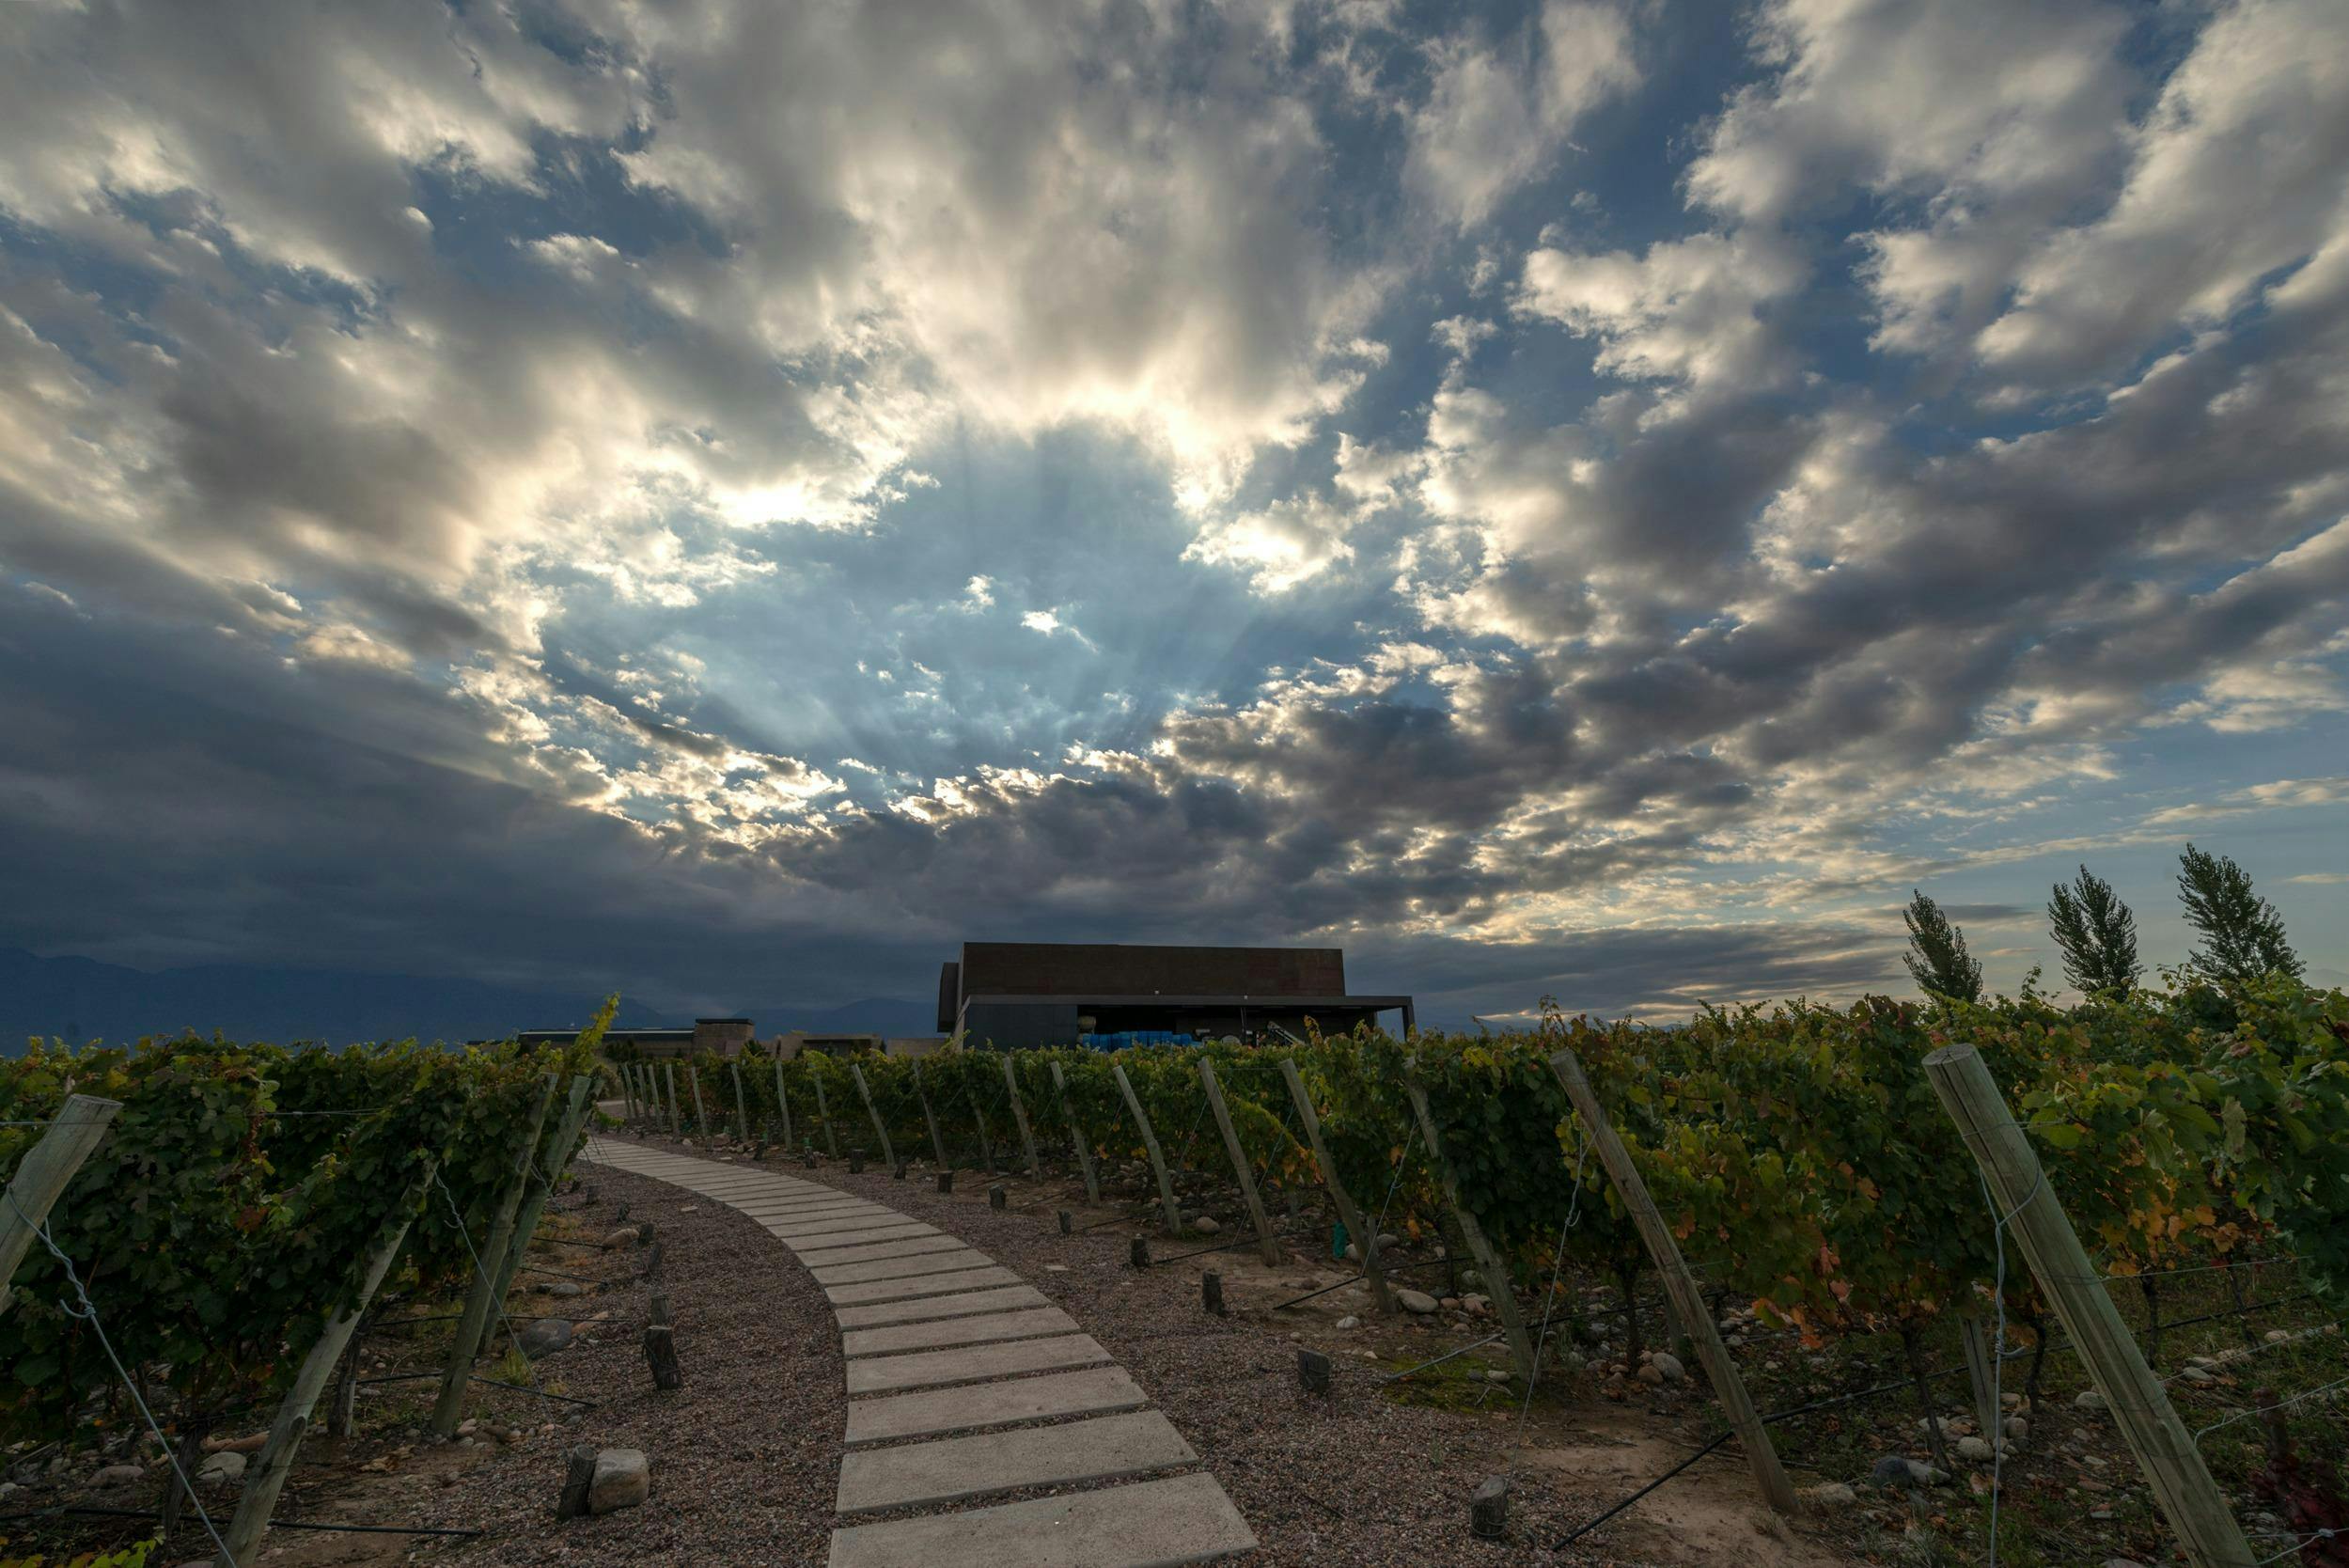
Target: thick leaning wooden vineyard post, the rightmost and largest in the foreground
pixel 2165 1449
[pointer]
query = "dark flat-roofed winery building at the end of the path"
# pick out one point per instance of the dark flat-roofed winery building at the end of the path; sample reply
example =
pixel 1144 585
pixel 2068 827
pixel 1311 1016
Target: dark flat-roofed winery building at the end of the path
pixel 1108 993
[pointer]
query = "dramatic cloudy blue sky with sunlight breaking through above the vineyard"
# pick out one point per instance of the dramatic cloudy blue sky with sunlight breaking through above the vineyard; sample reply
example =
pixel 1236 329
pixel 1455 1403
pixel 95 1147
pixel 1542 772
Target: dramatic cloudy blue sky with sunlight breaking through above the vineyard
pixel 1591 500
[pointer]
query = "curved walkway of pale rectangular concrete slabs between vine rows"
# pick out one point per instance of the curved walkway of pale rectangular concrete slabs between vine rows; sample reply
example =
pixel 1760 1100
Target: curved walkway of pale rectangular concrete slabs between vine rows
pixel 967 1383
